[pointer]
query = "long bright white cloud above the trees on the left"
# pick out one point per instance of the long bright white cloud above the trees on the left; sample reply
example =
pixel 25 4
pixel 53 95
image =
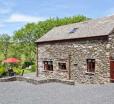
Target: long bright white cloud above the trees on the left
pixel 24 18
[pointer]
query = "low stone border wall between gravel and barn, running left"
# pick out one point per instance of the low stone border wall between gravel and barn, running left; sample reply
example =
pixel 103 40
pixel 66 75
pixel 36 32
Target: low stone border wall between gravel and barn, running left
pixel 35 81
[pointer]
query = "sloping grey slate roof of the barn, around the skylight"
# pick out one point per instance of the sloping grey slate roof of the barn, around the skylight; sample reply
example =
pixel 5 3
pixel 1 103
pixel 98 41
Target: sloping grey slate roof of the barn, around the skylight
pixel 91 28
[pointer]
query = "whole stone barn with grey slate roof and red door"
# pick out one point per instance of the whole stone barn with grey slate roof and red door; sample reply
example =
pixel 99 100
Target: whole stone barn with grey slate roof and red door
pixel 83 51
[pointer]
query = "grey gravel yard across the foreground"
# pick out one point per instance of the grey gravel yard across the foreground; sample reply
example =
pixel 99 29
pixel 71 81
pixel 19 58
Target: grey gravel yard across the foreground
pixel 55 93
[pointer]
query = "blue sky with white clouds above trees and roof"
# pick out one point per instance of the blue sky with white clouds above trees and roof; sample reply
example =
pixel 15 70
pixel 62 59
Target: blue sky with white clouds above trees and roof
pixel 16 13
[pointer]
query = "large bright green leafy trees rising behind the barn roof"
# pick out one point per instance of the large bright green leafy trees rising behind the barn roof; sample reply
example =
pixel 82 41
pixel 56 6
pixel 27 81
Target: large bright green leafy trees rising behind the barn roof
pixel 27 35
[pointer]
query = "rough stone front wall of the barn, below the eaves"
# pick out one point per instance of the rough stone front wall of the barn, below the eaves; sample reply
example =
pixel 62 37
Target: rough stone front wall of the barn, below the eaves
pixel 79 51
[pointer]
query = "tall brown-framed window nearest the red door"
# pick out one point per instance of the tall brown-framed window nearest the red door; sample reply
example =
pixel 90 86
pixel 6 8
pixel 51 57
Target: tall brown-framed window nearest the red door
pixel 90 65
